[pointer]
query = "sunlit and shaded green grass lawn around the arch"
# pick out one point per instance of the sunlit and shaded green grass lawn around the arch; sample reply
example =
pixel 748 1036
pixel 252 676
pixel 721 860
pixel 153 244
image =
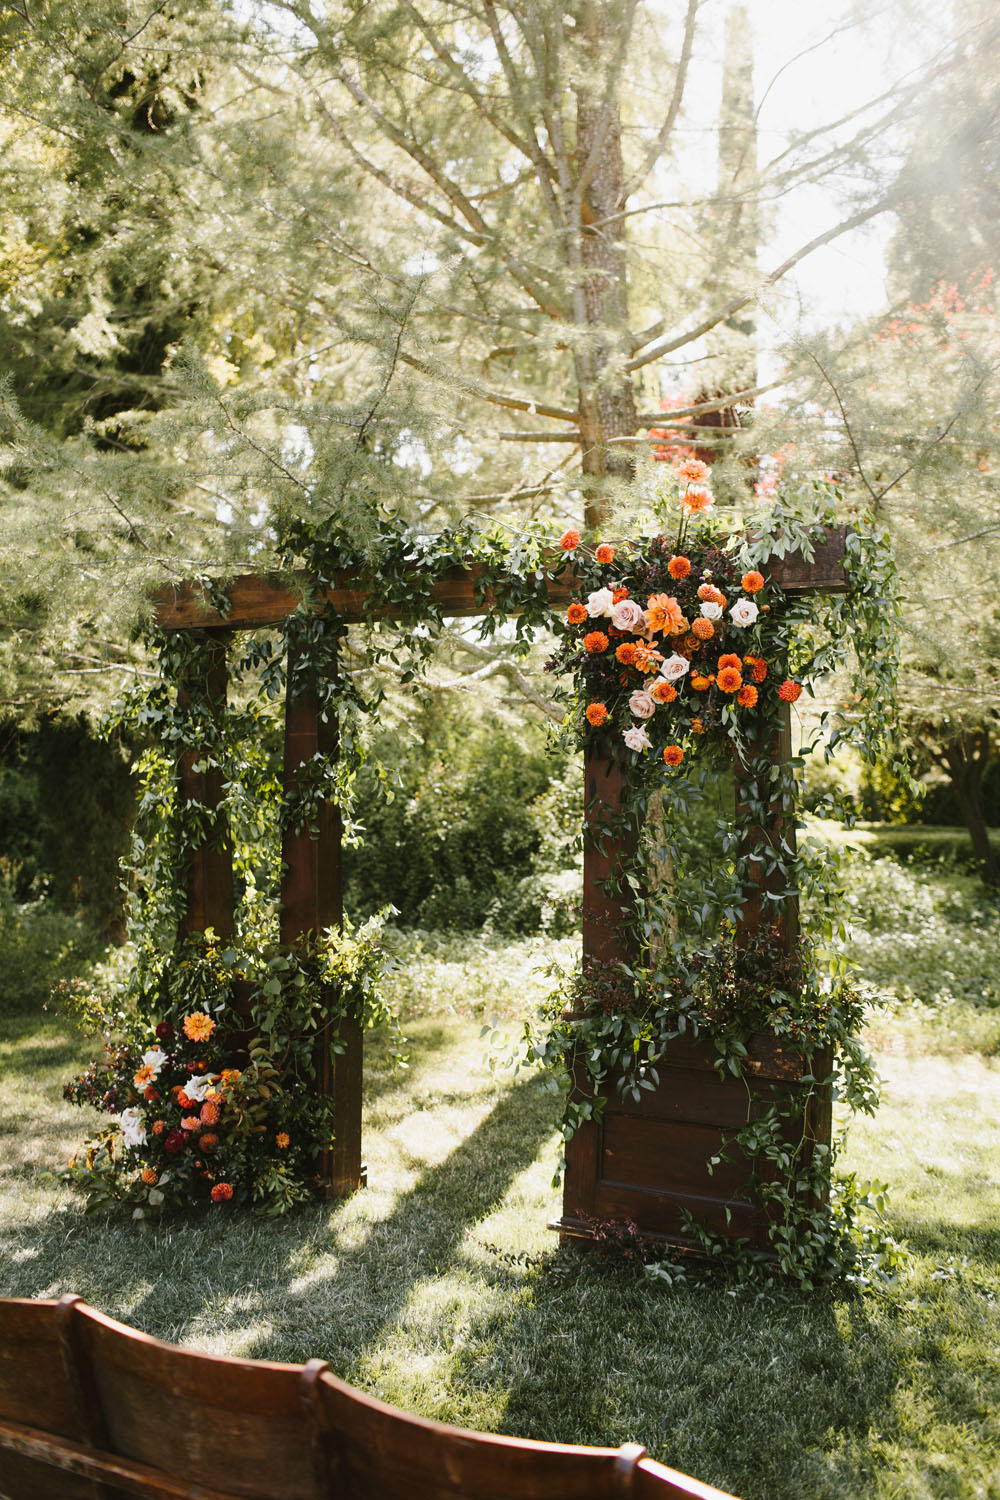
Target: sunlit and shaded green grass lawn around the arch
pixel 410 1289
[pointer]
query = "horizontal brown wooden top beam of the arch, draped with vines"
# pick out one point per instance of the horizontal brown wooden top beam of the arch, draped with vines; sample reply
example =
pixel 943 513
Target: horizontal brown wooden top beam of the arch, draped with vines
pixel 260 601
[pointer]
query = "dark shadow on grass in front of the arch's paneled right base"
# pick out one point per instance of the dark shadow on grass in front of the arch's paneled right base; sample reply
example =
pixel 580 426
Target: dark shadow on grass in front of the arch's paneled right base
pixel 758 1393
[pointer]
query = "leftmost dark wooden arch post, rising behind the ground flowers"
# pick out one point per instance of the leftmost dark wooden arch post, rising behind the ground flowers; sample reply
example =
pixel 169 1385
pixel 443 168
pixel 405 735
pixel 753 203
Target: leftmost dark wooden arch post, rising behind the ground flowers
pixel 200 781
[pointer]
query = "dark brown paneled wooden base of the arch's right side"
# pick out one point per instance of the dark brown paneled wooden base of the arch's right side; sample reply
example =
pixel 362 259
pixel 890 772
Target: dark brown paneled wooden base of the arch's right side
pixel 648 1160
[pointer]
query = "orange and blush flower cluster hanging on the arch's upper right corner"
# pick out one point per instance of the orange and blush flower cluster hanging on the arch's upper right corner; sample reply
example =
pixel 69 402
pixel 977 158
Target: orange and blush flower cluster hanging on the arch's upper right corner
pixel 674 641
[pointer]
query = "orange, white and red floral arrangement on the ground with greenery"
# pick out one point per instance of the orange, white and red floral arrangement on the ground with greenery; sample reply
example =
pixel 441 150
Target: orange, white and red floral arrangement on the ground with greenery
pixel 206 1091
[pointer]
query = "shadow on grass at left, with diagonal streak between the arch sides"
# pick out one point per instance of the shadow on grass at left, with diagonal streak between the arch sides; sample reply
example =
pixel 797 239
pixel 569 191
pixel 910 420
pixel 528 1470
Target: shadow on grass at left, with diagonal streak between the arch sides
pixel 326 1282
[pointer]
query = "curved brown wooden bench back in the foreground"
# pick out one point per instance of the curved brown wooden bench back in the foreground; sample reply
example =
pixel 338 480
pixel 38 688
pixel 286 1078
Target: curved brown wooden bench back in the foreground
pixel 92 1411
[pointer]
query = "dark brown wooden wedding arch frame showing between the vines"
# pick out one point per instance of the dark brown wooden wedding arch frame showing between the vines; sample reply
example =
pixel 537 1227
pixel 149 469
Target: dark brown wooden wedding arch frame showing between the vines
pixel 605 1178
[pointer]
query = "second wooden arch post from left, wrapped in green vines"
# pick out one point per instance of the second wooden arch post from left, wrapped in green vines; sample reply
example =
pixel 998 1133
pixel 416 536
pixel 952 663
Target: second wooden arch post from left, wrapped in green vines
pixel 313 901
